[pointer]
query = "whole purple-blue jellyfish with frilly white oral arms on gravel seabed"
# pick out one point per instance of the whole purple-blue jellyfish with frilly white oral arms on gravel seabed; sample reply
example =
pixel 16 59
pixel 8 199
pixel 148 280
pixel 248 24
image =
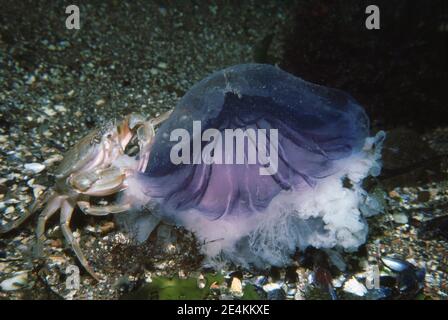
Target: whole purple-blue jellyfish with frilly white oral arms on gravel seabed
pixel 253 160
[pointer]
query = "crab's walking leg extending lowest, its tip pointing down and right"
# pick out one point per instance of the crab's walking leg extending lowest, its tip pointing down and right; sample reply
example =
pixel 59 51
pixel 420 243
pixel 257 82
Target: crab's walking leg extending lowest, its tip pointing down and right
pixel 66 215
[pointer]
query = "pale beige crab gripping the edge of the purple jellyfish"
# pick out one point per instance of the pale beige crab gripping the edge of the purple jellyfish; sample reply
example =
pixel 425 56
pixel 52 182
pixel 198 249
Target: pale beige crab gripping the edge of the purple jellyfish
pixel 88 170
